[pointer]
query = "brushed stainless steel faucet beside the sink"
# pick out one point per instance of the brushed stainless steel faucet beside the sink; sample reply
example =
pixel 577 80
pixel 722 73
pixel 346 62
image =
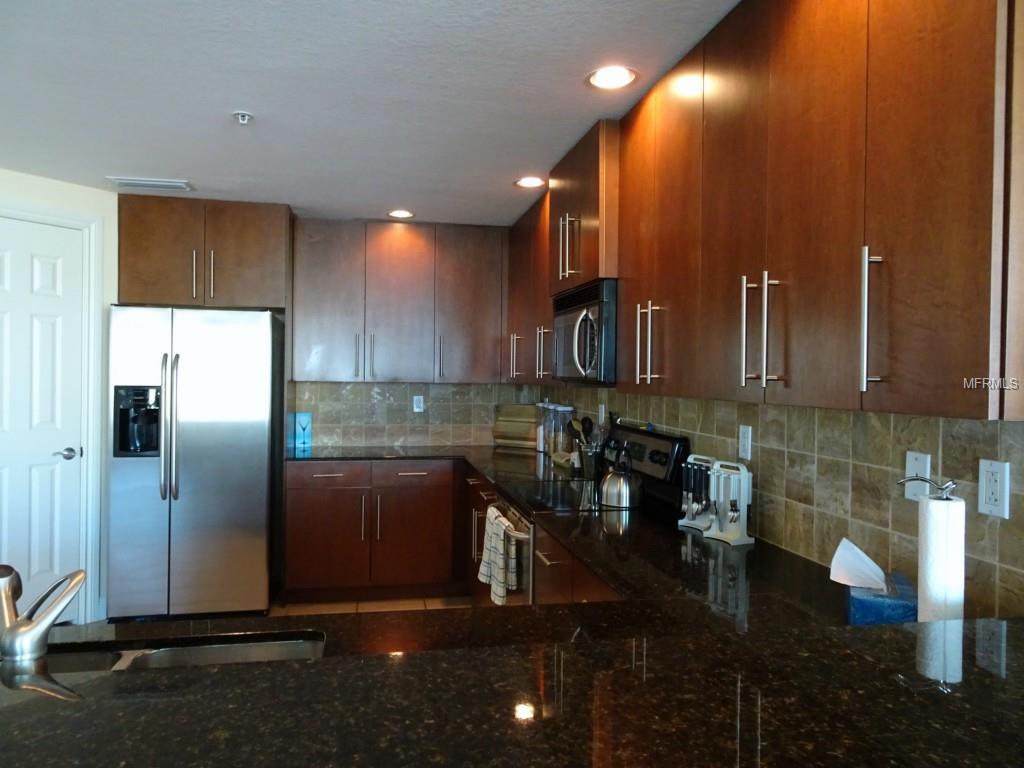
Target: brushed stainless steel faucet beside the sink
pixel 24 638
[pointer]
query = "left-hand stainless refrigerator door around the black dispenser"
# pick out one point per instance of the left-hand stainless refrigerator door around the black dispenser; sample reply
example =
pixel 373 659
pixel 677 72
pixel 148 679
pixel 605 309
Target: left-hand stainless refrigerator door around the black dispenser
pixel 140 338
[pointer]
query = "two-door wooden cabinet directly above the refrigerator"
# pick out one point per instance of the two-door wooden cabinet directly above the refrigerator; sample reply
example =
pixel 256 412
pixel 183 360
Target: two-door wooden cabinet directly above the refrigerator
pixel 193 252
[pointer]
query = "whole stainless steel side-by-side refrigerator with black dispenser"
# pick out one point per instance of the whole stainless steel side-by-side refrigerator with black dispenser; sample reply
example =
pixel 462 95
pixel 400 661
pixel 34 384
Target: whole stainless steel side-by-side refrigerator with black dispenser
pixel 192 419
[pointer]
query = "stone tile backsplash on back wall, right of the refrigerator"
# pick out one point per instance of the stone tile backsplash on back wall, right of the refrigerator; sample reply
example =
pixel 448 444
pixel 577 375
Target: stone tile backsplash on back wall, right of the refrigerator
pixel 365 414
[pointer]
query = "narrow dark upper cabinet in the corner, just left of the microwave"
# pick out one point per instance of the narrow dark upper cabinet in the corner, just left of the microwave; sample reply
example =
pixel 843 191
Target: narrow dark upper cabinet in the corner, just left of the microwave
pixel 520 351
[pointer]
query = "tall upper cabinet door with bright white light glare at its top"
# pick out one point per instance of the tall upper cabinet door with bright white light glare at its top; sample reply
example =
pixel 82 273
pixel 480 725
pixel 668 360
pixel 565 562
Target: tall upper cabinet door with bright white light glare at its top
pixel 674 319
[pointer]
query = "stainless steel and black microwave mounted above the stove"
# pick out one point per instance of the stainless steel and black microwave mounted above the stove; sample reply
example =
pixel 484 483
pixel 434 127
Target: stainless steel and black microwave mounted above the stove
pixel 585 334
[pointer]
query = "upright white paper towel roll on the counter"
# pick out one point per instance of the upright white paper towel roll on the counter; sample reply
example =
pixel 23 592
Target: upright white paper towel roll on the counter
pixel 941 559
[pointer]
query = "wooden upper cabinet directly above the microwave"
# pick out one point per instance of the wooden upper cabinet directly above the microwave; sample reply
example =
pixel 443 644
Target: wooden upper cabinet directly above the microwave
pixel 584 227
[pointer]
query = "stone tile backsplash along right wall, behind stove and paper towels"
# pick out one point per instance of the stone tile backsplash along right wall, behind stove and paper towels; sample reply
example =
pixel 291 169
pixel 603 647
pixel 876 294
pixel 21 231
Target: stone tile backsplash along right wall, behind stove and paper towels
pixel 823 475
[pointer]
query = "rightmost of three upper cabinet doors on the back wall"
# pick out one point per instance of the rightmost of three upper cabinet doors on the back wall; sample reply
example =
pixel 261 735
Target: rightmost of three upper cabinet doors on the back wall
pixel 468 304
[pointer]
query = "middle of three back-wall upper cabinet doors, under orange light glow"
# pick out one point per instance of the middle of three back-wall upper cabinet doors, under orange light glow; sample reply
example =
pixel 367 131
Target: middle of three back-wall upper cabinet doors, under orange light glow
pixel 400 302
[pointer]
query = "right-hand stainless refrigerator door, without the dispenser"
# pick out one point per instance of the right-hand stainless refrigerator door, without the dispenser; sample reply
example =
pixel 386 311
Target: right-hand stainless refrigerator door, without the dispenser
pixel 222 392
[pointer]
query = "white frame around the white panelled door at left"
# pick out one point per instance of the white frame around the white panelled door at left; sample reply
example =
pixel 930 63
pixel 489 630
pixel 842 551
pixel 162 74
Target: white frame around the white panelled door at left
pixel 93 390
